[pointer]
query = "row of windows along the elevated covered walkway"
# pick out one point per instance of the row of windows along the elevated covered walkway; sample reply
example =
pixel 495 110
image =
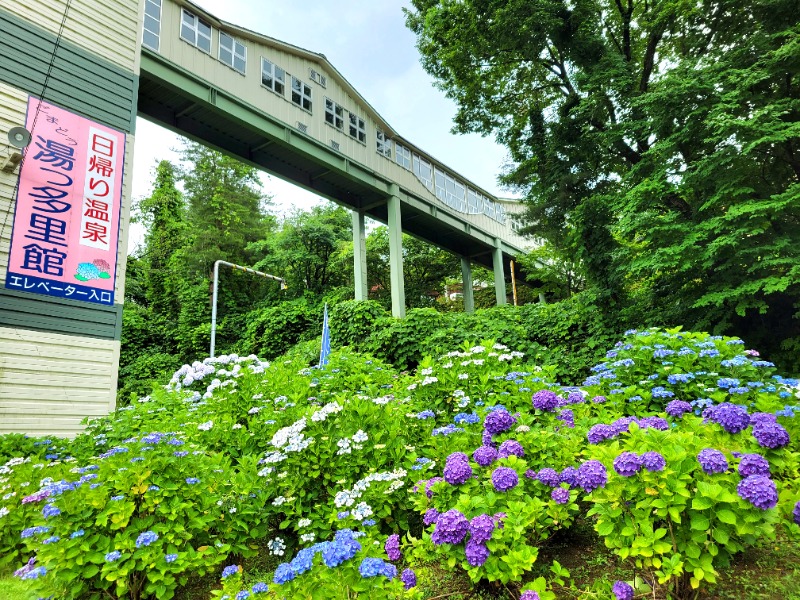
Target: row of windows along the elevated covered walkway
pixel 233 53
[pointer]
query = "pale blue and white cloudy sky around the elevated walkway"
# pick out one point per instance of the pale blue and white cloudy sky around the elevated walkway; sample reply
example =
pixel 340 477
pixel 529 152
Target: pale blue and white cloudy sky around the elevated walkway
pixel 367 41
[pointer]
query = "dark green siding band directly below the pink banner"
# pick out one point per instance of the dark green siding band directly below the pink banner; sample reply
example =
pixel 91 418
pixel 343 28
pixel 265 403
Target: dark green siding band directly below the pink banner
pixel 42 313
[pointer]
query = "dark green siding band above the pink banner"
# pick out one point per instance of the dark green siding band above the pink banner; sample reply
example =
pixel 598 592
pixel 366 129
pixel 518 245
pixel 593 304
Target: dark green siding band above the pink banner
pixel 80 81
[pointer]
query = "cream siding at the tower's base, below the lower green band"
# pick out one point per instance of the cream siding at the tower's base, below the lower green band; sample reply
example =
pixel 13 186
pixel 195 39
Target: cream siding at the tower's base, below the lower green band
pixel 49 382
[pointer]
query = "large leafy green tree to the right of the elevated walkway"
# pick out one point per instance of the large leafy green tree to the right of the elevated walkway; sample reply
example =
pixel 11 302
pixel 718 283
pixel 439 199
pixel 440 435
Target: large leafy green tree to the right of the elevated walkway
pixel 657 141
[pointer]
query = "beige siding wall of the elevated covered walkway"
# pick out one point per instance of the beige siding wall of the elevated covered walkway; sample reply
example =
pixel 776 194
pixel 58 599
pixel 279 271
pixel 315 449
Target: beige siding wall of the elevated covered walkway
pixel 248 88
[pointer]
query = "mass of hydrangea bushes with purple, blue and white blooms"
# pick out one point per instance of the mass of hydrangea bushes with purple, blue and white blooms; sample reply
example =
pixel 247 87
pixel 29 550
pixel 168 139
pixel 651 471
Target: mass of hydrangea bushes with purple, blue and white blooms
pixel 681 449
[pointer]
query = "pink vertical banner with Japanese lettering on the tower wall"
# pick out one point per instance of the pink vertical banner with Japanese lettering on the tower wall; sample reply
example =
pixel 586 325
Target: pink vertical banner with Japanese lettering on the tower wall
pixel 66 222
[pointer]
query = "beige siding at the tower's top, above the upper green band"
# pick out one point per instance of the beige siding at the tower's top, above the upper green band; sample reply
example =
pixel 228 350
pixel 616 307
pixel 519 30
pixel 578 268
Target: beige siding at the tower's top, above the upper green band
pixel 109 28
